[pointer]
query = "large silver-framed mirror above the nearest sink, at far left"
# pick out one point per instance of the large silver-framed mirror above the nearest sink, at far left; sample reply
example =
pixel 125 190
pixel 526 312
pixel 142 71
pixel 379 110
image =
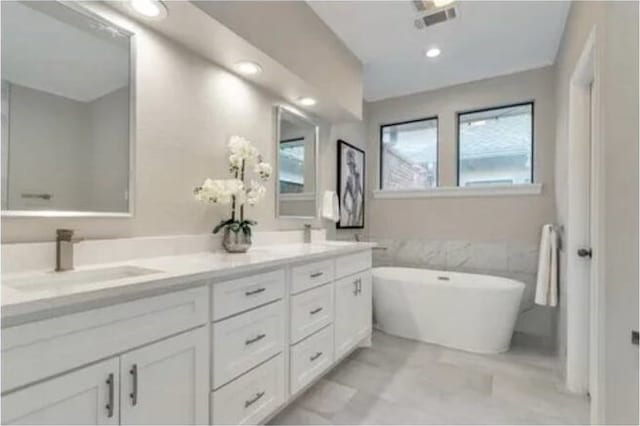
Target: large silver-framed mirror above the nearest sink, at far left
pixel 67 112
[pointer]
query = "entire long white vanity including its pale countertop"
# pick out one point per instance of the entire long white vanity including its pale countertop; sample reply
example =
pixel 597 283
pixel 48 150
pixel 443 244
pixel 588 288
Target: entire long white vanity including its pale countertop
pixel 257 330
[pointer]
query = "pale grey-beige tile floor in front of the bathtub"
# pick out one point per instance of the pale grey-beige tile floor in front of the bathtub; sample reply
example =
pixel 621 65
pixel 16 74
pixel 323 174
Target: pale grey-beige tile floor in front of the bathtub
pixel 400 381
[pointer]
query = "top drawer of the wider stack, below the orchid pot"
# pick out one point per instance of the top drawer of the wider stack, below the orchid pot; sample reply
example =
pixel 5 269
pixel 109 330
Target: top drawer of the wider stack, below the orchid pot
pixel 231 297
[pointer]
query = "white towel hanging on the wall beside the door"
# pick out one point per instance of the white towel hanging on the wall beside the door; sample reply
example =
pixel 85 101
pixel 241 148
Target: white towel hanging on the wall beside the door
pixel 547 283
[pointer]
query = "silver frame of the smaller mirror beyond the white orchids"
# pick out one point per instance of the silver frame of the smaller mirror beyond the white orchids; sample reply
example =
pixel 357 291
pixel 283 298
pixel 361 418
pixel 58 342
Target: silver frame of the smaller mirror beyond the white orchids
pixel 279 110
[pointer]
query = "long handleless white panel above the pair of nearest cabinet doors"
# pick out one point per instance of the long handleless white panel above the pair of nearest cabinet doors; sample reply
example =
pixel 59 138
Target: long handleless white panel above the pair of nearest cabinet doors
pixel 41 349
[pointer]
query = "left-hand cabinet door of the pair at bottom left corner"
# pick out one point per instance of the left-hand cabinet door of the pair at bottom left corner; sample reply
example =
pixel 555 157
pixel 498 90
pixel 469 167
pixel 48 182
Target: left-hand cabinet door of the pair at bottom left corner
pixel 88 396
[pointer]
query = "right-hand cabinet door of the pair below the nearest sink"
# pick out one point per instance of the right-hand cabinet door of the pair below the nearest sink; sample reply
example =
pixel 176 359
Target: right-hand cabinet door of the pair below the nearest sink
pixel 166 382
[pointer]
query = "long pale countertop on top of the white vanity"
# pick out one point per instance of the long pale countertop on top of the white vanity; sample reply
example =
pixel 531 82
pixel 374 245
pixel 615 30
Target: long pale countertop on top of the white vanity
pixel 32 303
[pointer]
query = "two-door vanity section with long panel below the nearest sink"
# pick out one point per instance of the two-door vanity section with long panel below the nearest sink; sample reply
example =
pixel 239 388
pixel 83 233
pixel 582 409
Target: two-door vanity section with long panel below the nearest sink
pixel 156 369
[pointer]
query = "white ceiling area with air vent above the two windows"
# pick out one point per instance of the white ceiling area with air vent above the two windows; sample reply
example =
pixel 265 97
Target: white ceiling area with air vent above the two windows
pixel 487 39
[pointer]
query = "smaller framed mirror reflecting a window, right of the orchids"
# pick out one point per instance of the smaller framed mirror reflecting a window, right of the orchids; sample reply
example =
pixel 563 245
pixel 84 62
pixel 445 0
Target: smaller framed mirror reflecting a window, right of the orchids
pixel 297 165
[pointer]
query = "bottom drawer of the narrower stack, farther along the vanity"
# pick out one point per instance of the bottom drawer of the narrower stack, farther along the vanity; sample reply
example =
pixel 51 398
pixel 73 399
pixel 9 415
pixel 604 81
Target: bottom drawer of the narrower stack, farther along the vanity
pixel 310 358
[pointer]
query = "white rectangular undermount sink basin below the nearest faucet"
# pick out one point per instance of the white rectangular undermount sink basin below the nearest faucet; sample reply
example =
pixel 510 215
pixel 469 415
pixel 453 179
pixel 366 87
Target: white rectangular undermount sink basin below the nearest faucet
pixel 44 280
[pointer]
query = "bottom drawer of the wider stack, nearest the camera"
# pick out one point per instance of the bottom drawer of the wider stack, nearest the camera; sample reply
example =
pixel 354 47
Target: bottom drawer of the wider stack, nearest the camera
pixel 252 397
